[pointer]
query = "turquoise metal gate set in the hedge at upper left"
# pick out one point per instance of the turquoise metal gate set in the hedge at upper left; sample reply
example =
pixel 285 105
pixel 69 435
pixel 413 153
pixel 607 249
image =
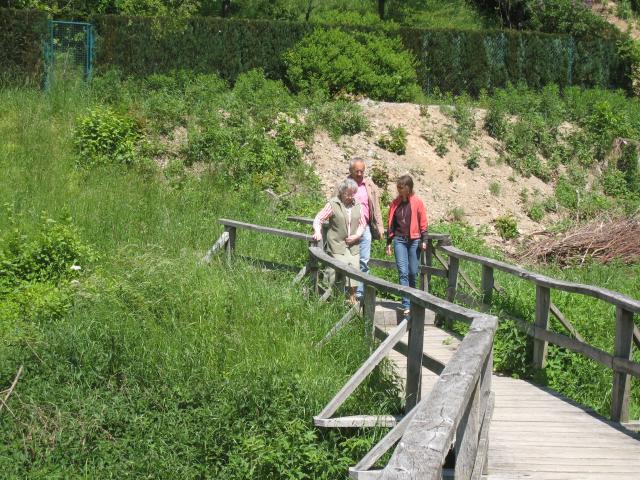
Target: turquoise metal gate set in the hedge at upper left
pixel 69 51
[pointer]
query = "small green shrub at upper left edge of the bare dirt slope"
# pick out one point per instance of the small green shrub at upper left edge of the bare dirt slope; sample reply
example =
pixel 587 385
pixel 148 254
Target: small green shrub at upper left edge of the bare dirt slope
pixel 340 117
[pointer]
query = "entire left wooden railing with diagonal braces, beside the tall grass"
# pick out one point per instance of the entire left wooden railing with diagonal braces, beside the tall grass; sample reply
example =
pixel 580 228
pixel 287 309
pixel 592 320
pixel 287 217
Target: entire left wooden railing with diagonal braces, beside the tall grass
pixel 457 413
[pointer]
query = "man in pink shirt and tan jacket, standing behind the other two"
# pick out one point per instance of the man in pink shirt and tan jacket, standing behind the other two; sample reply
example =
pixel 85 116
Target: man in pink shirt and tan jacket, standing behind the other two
pixel 368 196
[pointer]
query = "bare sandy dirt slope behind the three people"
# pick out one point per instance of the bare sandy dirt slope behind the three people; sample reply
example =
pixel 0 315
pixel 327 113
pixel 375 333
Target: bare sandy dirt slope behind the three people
pixel 444 183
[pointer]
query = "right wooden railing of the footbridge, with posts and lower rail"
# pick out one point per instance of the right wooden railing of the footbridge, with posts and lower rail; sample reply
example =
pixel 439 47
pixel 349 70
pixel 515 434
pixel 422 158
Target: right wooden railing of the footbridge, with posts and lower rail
pixel 626 333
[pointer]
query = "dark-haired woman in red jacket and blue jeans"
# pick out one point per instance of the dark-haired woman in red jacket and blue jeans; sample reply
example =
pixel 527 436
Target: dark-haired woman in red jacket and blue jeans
pixel 407 229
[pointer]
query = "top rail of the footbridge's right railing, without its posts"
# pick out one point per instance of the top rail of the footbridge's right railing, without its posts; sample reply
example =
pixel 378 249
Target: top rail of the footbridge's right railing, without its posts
pixel 610 296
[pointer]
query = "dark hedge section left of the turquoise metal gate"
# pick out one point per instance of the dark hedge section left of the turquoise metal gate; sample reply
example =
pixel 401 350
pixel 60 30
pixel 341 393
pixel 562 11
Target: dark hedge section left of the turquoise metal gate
pixel 21 34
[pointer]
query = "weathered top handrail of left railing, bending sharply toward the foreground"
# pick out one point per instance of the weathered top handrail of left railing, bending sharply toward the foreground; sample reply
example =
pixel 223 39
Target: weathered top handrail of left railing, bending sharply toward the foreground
pixel 458 393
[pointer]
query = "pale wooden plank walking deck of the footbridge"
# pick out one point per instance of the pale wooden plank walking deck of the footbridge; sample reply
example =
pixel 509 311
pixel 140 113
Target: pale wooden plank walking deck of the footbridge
pixel 535 433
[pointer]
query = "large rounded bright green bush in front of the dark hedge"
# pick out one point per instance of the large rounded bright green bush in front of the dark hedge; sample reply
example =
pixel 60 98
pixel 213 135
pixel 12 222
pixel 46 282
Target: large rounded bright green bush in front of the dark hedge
pixel 335 61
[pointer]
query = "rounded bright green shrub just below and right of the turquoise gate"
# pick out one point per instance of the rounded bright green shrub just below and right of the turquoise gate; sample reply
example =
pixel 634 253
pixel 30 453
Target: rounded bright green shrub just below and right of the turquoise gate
pixel 105 137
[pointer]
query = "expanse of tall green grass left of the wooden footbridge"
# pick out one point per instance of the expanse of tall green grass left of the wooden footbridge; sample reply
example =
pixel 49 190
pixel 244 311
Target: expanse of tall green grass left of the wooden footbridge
pixel 158 366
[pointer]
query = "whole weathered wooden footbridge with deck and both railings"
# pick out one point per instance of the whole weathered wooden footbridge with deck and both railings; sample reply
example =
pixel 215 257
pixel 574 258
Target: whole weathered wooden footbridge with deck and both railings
pixel 462 421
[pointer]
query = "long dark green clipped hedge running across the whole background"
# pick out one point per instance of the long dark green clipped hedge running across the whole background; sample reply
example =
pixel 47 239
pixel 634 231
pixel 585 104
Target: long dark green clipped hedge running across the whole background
pixel 452 60
